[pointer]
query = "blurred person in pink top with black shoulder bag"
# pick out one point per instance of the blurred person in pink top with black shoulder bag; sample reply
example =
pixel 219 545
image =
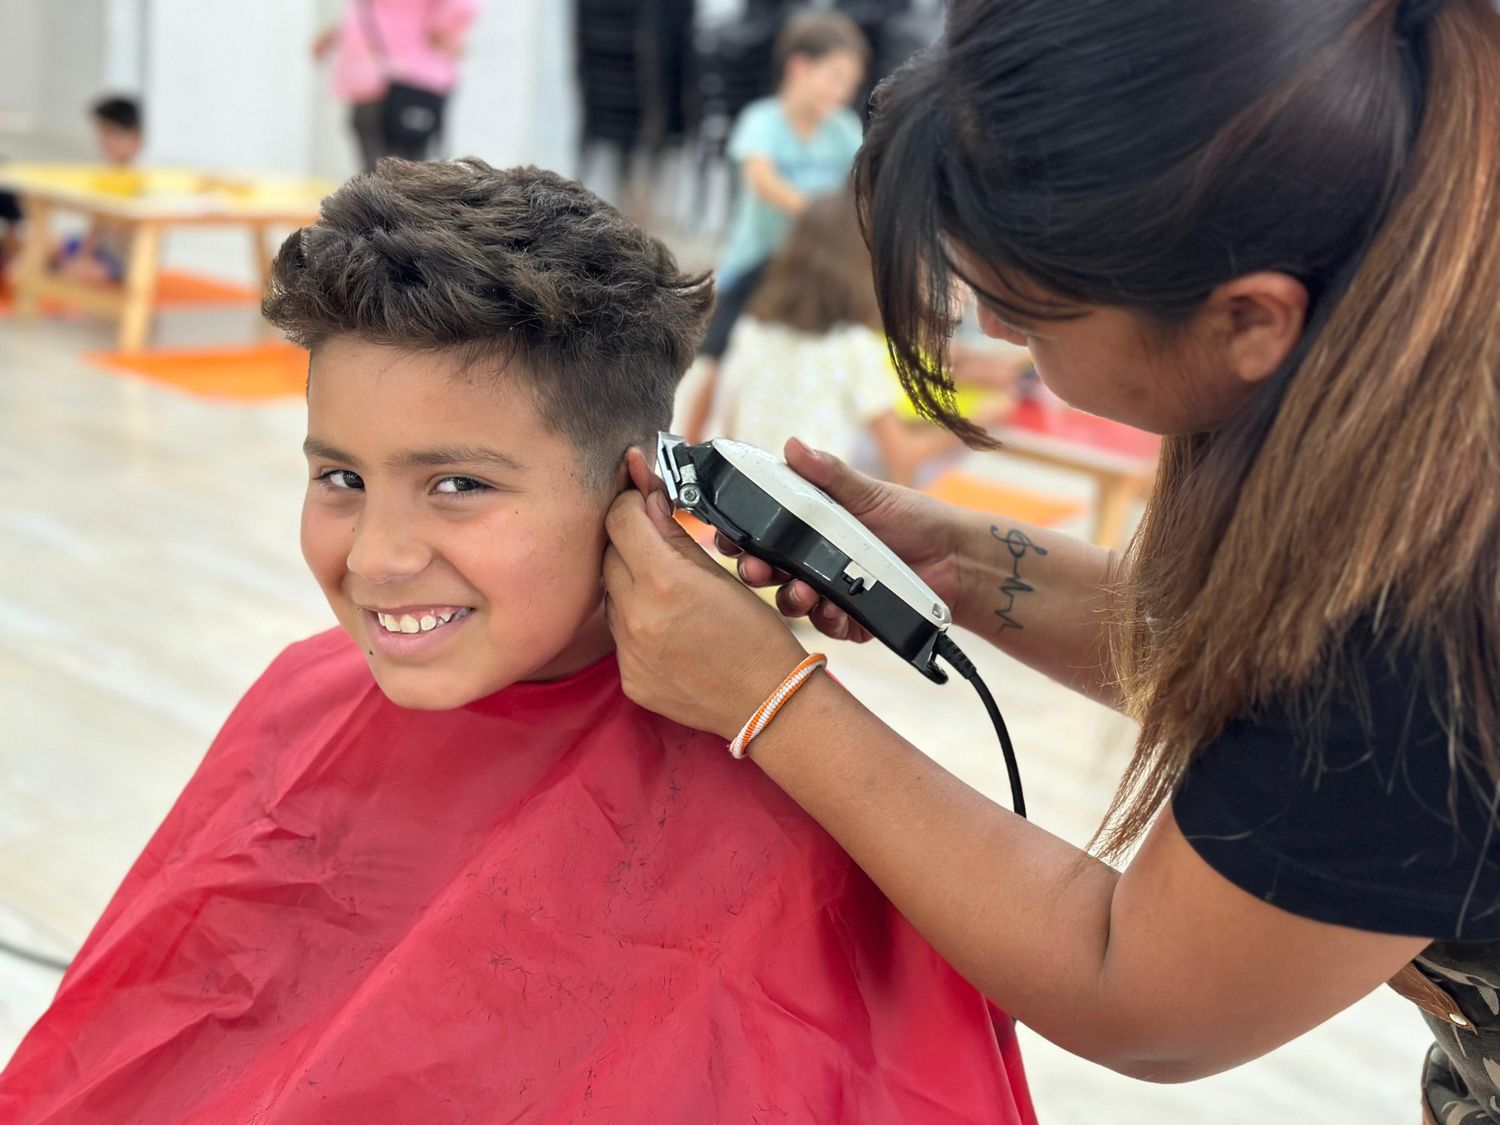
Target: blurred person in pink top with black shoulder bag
pixel 397 62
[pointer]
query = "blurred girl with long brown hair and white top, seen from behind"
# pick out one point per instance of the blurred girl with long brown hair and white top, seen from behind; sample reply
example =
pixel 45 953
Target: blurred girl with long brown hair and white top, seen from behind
pixel 809 356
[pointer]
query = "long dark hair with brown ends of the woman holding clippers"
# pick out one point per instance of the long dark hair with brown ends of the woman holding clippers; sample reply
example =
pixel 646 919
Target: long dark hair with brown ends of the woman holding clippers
pixel 1139 154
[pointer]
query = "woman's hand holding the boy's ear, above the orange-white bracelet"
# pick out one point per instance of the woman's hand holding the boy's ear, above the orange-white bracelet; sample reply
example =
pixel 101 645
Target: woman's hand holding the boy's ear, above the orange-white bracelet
pixel 692 643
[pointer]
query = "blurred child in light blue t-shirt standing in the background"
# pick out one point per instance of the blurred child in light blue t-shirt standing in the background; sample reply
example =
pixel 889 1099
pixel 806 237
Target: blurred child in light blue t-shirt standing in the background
pixel 790 149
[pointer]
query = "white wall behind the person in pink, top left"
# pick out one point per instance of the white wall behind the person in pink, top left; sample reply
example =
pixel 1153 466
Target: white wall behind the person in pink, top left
pixel 232 85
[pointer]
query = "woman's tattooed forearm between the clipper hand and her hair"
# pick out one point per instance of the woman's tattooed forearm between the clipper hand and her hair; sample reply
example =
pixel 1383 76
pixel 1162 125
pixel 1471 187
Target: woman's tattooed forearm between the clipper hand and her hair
pixel 1042 598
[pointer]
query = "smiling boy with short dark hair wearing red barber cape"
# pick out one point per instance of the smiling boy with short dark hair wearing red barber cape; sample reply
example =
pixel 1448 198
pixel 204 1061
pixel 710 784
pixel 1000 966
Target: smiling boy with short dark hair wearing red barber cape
pixel 437 868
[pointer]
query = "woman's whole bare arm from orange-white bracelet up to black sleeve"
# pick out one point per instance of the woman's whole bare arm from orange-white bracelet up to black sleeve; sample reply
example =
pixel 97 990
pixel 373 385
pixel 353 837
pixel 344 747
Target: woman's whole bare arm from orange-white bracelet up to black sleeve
pixel 1166 973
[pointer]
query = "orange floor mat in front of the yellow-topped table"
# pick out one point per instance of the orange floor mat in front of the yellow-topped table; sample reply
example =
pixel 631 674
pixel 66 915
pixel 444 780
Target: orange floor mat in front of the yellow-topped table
pixel 250 374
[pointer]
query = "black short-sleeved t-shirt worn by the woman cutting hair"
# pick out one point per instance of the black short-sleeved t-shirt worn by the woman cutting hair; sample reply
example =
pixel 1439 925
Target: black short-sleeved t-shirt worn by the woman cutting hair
pixel 1343 806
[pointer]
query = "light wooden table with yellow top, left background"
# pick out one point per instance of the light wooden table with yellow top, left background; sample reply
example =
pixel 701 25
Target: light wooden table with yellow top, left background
pixel 146 205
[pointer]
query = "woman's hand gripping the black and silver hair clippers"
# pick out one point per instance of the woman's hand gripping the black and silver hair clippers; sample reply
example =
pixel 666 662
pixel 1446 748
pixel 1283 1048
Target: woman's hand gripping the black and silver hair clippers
pixel 922 532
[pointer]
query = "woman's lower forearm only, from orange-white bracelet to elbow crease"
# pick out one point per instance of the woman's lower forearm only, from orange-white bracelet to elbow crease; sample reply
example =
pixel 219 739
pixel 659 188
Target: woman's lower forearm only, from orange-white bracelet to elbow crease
pixel 1019 913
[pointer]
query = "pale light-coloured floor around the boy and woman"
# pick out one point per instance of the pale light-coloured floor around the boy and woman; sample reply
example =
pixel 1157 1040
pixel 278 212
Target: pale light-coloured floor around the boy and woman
pixel 149 571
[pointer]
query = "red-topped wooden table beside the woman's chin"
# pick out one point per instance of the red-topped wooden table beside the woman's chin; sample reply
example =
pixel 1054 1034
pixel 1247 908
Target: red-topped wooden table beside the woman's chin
pixel 1123 461
